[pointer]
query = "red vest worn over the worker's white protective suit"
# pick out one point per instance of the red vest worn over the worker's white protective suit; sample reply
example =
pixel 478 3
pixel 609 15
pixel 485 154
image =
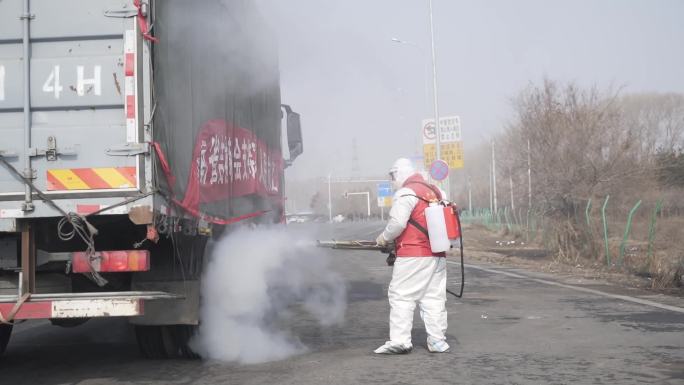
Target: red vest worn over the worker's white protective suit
pixel 412 242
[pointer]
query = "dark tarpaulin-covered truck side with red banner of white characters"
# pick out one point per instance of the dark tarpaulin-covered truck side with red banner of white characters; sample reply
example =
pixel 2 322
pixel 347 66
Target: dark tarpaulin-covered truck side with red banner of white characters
pixel 218 118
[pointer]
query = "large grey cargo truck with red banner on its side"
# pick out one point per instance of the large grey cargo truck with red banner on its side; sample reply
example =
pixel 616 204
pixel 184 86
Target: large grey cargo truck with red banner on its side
pixel 134 132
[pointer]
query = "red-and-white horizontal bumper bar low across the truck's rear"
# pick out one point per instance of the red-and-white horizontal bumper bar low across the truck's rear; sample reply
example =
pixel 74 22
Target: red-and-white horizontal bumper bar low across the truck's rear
pixel 81 305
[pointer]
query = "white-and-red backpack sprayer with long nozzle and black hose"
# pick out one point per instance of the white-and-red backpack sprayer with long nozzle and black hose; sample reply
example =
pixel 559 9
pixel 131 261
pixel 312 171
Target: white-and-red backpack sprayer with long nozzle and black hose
pixel 443 228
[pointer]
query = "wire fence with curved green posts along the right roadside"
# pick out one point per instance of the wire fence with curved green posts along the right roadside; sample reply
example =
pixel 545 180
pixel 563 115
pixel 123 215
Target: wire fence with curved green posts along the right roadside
pixel 616 235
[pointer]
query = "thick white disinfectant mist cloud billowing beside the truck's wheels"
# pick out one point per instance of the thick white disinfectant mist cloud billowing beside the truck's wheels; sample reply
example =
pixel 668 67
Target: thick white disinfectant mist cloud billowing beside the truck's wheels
pixel 257 284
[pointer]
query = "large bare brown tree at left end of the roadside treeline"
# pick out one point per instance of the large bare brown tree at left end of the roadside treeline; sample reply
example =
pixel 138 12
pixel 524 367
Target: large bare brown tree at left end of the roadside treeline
pixel 578 146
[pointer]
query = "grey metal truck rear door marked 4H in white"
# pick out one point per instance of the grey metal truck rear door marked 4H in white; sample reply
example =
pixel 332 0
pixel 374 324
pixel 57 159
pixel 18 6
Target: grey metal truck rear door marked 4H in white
pixel 84 109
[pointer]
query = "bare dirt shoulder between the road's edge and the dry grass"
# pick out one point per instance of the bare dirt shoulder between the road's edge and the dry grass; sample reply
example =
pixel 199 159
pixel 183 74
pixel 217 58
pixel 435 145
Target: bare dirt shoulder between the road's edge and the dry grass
pixel 482 245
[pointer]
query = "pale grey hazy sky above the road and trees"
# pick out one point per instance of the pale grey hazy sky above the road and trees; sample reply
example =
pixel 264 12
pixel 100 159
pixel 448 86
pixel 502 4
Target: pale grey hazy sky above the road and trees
pixel 342 72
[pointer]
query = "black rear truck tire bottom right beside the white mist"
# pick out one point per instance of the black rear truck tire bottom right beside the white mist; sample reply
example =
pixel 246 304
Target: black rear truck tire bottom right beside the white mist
pixel 165 341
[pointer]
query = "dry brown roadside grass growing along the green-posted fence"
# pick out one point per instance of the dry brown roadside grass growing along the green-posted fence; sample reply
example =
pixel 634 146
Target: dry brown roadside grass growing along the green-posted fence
pixel 569 241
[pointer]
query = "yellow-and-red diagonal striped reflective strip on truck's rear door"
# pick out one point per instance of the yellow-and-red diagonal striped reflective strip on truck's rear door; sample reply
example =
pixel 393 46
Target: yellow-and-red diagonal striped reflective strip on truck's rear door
pixel 91 178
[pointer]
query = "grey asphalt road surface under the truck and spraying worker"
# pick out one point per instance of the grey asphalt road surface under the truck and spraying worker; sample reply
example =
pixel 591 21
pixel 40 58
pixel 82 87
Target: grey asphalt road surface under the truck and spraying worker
pixel 512 326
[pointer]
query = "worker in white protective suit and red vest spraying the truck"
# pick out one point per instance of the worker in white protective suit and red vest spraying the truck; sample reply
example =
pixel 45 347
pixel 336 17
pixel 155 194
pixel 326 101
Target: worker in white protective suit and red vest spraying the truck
pixel 418 276
